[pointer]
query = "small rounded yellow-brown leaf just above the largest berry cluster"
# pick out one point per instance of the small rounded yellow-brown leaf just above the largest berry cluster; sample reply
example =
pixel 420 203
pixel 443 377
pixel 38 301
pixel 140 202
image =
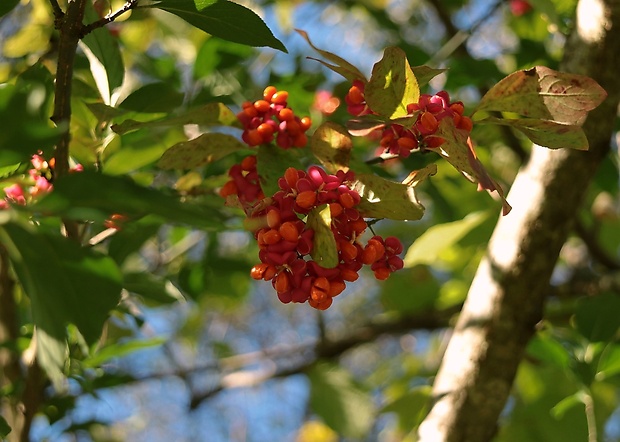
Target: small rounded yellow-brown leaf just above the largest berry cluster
pixel 332 145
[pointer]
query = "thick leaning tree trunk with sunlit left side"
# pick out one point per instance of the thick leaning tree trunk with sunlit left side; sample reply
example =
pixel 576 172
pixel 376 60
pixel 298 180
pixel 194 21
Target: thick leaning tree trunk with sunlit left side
pixel 506 299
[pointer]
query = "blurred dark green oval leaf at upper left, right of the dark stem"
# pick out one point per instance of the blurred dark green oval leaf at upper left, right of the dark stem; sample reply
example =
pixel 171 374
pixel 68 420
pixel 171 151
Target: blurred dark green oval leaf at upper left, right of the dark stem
pixel 153 98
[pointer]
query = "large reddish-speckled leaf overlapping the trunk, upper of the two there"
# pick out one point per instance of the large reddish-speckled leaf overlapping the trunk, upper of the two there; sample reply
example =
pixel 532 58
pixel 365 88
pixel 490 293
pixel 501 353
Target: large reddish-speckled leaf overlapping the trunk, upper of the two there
pixel 542 93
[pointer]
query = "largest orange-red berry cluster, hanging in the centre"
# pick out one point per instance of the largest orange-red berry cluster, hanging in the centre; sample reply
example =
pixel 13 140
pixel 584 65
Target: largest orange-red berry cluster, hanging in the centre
pixel 286 241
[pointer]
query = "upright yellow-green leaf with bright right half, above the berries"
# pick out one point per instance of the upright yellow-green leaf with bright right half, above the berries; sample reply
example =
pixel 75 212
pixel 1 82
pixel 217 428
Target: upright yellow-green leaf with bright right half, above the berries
pixel 392 85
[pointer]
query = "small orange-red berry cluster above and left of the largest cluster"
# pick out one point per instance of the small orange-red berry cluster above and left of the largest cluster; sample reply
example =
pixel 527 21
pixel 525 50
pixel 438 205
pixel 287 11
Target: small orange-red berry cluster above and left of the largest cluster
pixel 270 118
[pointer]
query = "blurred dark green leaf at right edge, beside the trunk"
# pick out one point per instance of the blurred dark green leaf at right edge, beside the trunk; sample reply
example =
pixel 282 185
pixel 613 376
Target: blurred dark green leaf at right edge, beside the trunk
pixel 597 317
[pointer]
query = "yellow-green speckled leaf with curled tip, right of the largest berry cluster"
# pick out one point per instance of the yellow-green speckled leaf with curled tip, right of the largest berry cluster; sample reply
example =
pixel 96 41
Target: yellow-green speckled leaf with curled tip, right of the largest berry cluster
pixel 382 198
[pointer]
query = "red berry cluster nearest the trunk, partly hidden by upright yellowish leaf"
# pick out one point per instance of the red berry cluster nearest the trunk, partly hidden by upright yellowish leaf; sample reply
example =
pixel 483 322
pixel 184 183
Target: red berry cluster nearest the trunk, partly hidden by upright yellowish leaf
pixel 400 140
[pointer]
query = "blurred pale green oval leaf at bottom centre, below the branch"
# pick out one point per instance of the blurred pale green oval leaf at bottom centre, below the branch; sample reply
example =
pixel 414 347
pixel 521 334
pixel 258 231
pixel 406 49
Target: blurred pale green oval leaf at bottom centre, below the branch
pixel 339 401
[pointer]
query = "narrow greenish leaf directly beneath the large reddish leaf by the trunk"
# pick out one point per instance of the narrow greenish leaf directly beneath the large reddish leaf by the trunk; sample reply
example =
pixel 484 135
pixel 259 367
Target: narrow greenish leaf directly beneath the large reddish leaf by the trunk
pixel 546 133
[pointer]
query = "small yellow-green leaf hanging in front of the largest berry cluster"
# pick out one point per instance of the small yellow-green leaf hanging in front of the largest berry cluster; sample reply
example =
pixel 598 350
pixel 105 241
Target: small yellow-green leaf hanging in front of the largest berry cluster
pixel 324 248
